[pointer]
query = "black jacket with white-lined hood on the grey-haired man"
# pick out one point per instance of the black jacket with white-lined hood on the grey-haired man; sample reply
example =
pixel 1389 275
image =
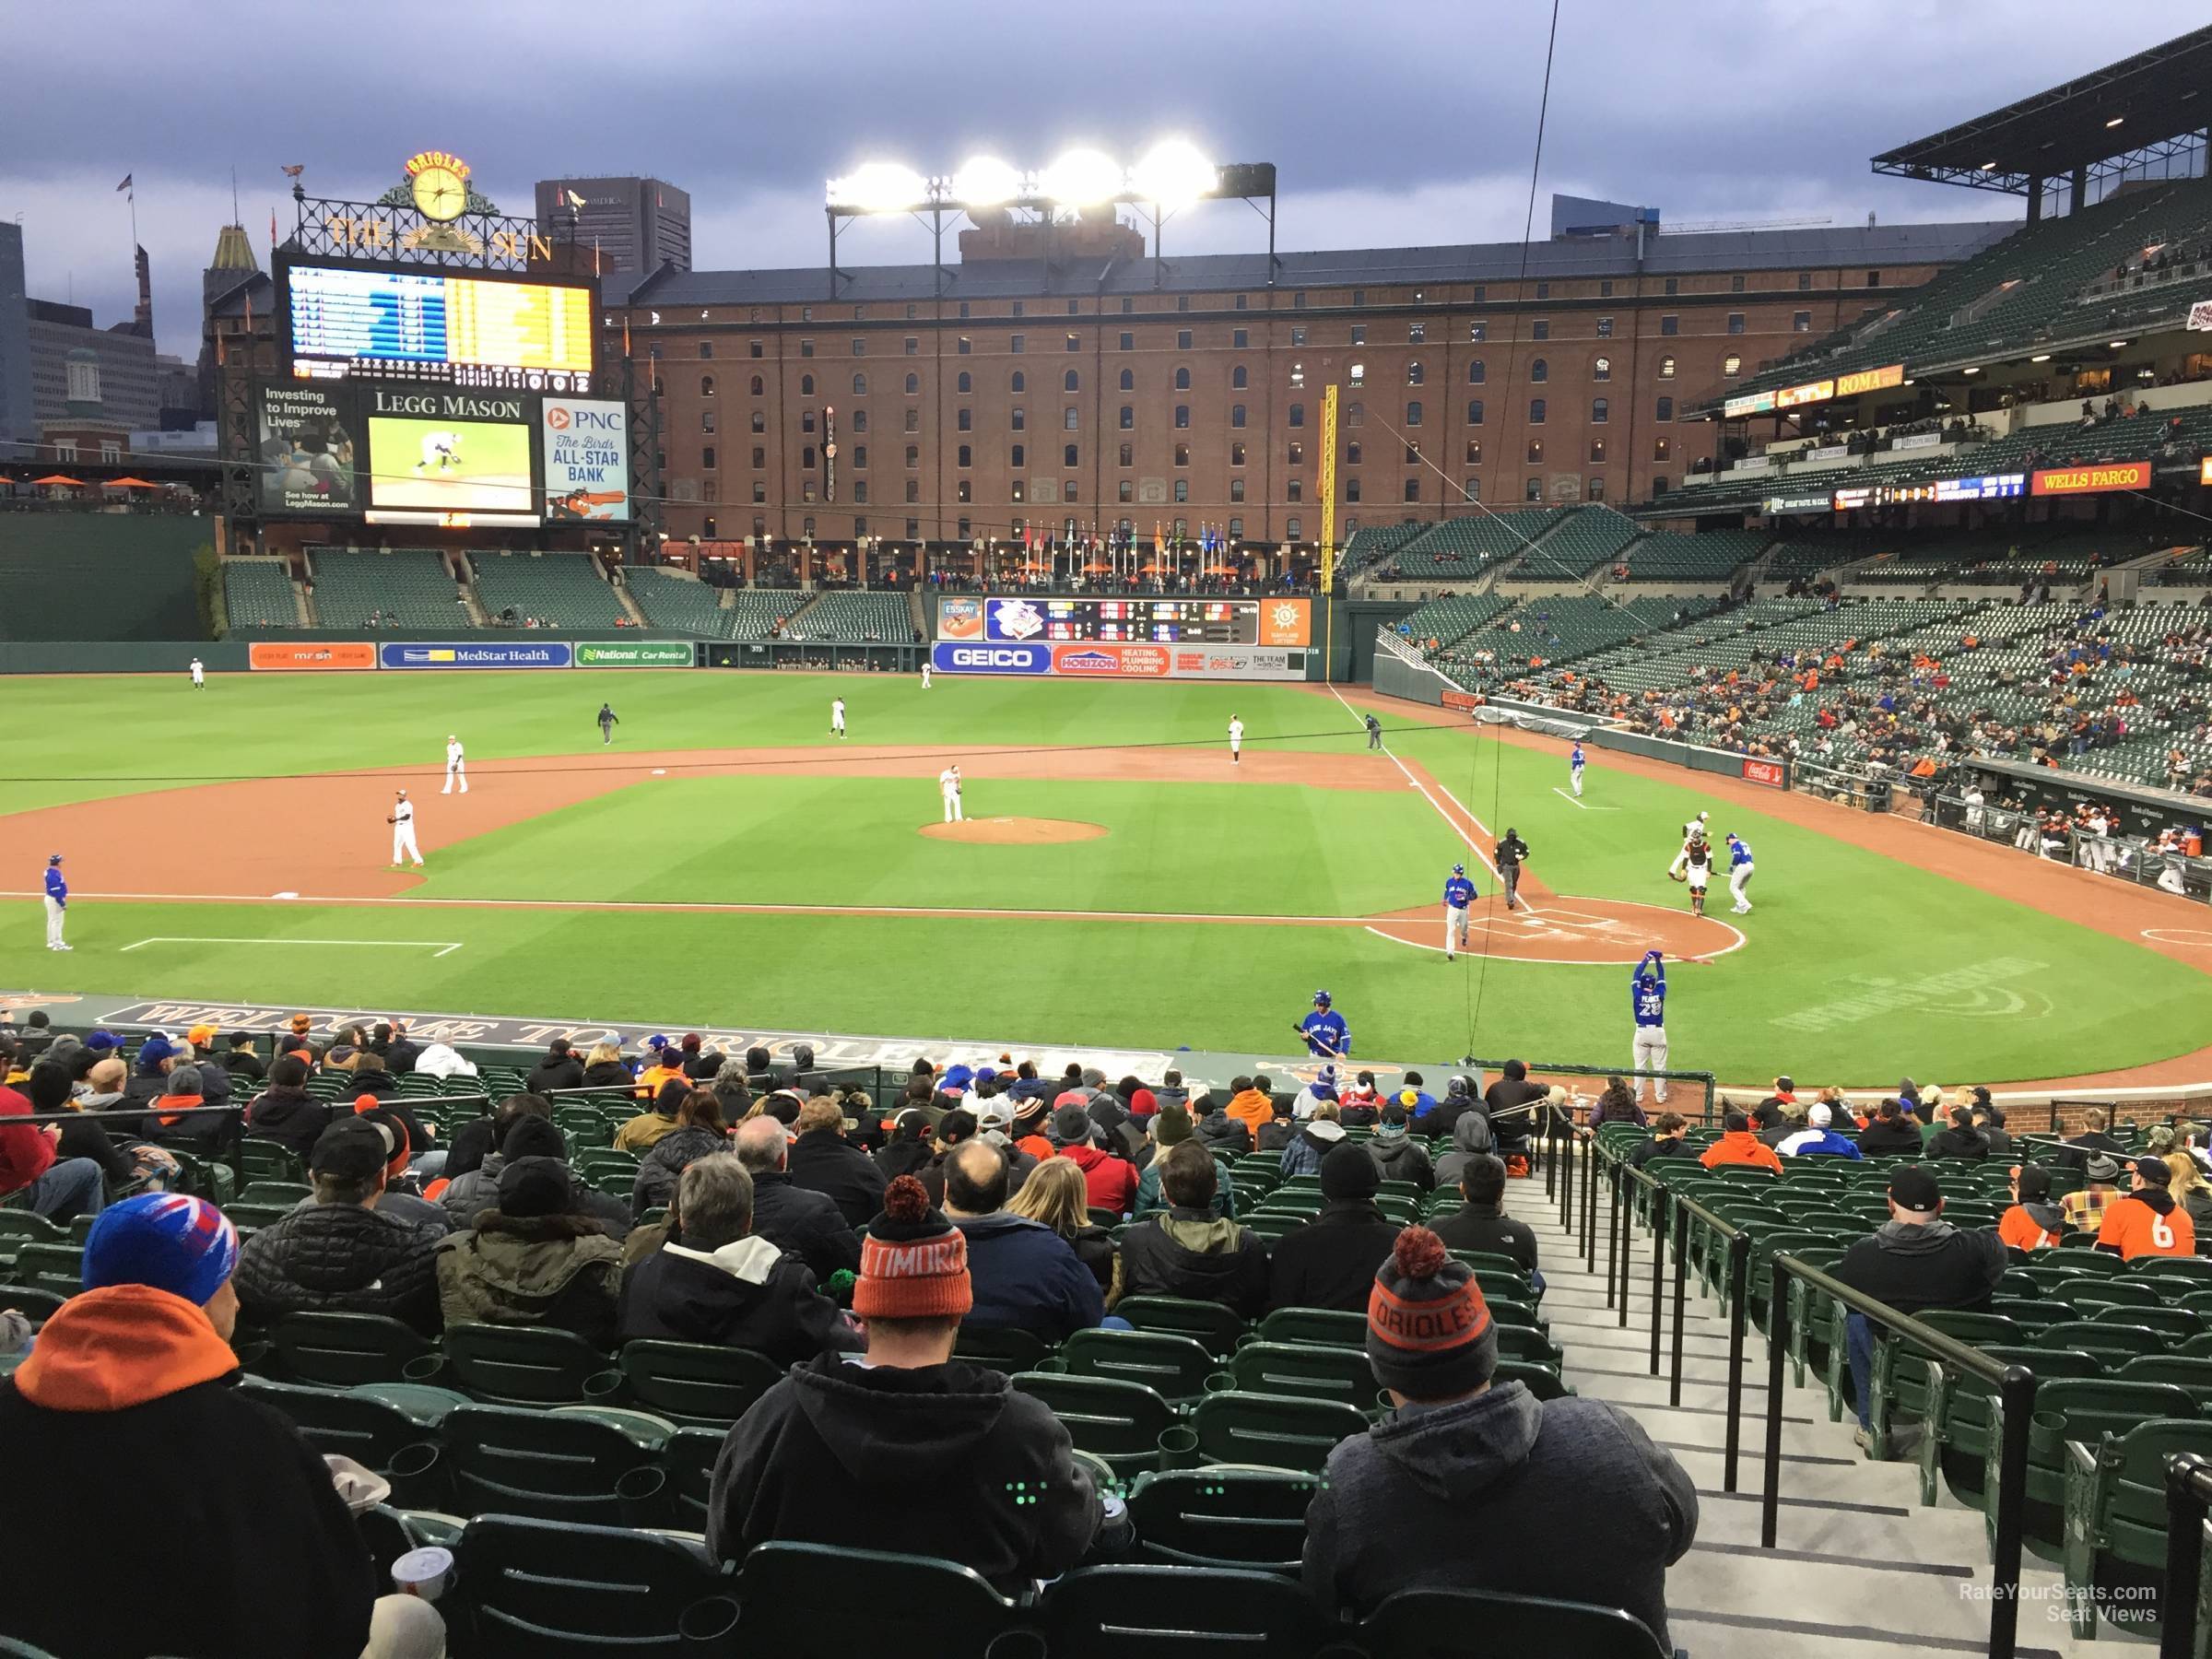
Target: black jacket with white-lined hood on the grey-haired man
pixel 742 1295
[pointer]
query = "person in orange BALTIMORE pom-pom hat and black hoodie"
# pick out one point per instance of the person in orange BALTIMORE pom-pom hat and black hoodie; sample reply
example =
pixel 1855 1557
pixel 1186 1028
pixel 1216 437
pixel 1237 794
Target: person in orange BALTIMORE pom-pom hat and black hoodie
pixel 908 1450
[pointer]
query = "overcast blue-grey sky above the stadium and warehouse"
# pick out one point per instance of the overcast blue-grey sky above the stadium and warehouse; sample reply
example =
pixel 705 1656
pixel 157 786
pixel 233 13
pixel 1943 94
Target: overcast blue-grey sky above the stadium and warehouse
pixel 1404 123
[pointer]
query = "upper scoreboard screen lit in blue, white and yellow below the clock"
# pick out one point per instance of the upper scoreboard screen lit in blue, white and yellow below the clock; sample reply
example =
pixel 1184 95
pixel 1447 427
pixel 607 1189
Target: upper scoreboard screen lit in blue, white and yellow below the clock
pixel 439 328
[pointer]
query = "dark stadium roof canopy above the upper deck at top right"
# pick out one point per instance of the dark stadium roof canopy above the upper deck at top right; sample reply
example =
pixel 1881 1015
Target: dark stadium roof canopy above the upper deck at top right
pixel 2105 123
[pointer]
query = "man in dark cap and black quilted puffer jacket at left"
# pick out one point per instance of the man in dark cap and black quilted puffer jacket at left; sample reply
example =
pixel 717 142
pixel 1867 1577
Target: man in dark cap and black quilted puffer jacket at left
pixel 340 1253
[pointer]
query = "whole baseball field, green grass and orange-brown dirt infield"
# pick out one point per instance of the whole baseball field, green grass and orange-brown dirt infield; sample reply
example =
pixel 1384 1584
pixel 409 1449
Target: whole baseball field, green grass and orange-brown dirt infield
pixel 1118 881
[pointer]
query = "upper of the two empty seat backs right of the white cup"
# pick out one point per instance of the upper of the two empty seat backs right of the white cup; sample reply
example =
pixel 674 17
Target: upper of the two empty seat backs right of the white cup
pixel 554 1465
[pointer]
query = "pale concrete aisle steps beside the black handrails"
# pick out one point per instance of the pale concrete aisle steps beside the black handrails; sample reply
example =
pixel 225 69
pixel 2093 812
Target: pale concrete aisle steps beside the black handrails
pixel 1861 1569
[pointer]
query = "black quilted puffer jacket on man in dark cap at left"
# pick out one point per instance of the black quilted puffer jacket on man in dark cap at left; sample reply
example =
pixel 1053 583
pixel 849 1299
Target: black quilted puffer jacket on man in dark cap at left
pixel 342 1260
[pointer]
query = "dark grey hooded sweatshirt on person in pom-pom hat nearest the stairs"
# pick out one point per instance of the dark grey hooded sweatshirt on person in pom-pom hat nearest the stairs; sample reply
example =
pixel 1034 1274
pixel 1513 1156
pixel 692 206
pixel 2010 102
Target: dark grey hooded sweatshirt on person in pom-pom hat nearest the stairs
pixel 1496 1494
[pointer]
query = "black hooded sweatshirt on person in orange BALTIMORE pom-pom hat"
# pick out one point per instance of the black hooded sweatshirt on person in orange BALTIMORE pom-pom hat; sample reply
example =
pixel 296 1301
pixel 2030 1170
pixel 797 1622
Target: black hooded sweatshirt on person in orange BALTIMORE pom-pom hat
pixel 941 1461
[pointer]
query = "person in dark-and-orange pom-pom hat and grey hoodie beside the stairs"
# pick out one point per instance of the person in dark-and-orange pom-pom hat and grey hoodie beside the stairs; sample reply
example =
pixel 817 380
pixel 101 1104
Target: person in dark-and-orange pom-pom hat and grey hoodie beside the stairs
pixel 1470 1485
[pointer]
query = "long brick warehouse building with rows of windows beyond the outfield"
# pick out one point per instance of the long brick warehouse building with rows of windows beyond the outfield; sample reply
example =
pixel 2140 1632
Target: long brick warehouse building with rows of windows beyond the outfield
pixel 1114 390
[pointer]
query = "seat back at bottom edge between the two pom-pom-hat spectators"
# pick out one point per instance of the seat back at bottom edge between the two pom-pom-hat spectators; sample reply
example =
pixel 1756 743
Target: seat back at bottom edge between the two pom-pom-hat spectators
pixel 1178 1614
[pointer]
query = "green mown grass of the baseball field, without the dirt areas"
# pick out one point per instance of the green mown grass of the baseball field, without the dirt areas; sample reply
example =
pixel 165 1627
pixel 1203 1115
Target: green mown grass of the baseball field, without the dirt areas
pixel 1839 932
